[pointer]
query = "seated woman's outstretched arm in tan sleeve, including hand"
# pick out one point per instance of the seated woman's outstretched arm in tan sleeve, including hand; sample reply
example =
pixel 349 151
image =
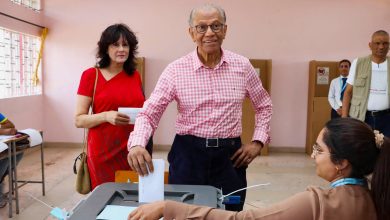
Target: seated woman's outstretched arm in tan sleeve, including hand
pixel 302 206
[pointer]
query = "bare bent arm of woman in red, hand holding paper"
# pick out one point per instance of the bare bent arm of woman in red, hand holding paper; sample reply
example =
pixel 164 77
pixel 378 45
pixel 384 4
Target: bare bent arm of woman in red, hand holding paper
pixel 84 120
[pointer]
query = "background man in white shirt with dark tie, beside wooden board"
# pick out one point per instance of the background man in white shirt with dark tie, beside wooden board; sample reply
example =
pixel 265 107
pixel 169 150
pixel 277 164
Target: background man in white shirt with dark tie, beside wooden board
pixel 337 88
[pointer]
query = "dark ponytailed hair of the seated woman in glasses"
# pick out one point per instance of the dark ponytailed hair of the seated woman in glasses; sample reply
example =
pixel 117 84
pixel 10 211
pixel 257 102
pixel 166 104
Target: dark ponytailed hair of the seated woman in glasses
pixel 353 140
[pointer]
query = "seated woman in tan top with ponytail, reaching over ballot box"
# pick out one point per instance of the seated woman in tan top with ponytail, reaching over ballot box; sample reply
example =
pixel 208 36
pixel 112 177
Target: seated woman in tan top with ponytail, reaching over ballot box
pixel 346 151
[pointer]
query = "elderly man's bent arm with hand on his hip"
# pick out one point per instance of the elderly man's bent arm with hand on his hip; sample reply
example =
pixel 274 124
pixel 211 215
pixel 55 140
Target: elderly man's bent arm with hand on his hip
pixel 262 104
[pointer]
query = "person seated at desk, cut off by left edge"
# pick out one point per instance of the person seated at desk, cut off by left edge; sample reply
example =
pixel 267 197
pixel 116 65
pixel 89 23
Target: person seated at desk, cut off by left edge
pixel 6 128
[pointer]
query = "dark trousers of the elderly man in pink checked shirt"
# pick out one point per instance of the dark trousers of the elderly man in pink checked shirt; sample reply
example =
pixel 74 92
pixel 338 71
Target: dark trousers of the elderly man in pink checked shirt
pixel 192 163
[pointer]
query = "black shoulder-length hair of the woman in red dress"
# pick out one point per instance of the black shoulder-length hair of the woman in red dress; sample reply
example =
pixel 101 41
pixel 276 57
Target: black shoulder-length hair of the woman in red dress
pixel 111 35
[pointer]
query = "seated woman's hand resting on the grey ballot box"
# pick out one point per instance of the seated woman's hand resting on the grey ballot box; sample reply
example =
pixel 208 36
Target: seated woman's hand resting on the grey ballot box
pixel 150 211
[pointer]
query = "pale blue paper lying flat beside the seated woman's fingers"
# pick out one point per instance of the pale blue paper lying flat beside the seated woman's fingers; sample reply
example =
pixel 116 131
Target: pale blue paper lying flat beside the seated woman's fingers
pixel 115 212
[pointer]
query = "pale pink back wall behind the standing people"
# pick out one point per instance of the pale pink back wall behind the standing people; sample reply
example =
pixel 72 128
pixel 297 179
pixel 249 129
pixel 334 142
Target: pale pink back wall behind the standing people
pixel 291 33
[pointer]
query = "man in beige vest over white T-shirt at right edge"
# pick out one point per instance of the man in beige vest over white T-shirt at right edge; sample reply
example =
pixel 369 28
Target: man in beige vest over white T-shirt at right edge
pixel 367 96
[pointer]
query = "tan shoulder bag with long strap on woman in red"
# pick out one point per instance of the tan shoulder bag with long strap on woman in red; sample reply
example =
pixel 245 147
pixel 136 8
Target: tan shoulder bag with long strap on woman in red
pixel 83 180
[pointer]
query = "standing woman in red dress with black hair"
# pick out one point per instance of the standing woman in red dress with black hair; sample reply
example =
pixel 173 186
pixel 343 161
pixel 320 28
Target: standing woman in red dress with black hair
pixel 118 85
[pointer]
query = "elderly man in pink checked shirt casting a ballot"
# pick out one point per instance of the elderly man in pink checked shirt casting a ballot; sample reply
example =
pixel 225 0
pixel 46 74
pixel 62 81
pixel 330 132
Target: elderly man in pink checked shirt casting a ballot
pixel 209 86
